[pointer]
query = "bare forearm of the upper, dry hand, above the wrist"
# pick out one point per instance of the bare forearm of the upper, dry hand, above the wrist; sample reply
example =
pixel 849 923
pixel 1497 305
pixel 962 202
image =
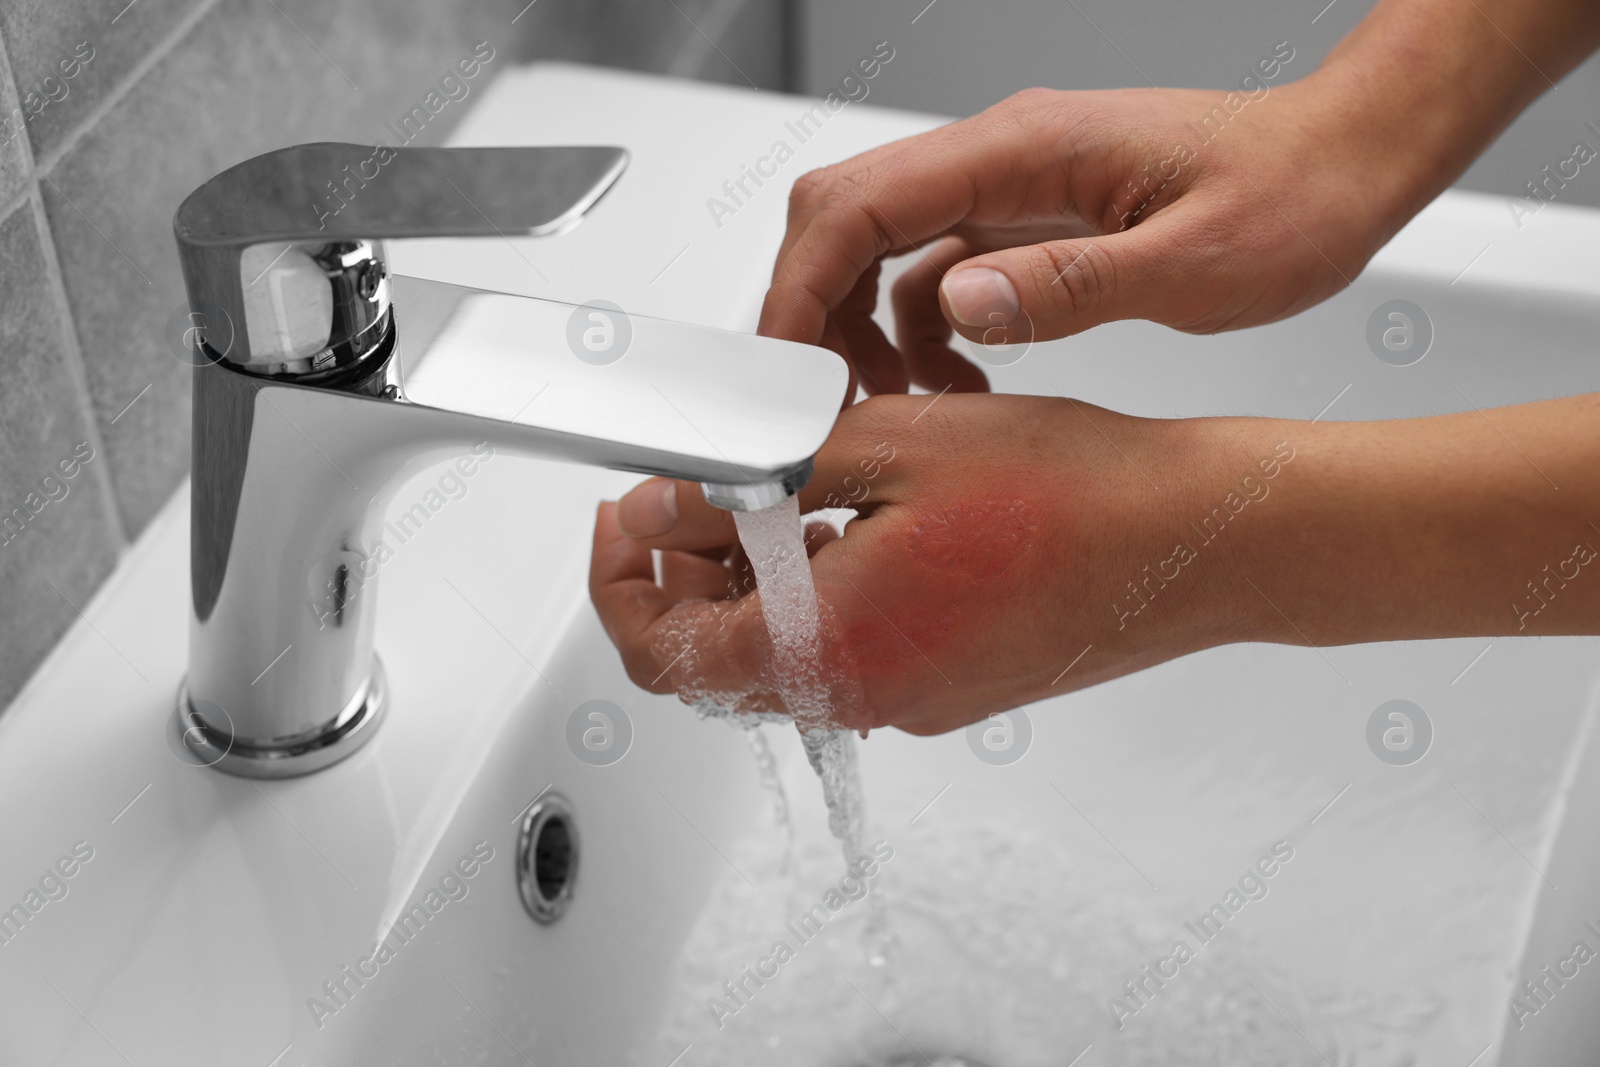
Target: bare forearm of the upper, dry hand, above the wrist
pixel 1422 87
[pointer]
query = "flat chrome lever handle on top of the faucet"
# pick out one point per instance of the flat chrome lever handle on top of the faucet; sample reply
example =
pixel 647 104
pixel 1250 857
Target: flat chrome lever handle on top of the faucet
pixel 303 225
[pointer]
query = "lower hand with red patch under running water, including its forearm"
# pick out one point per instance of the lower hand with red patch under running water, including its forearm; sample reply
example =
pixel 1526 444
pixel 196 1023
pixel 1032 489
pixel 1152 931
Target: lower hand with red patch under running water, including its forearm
pixel 1017 548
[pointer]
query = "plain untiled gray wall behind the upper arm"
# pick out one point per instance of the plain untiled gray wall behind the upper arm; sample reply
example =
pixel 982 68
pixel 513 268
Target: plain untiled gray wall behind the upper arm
pixel 961 57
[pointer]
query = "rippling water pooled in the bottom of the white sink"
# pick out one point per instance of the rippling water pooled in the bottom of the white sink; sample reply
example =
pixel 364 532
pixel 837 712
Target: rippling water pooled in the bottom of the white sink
pixel 1007 948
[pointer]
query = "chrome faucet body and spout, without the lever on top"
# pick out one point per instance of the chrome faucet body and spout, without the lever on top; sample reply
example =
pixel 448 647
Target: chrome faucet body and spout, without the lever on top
pixel 298 457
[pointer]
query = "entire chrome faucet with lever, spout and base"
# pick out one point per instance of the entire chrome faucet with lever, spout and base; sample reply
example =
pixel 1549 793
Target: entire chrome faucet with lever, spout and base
pixel 322 382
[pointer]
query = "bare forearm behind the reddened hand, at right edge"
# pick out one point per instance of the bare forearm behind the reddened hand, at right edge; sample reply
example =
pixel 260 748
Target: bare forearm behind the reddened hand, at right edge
pixel 1478 524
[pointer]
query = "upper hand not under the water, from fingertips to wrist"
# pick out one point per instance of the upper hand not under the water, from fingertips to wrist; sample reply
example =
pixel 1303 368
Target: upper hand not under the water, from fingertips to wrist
pixel 1057 212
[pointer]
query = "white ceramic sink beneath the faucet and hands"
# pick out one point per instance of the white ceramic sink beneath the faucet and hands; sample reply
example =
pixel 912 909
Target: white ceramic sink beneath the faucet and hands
pixel 210 919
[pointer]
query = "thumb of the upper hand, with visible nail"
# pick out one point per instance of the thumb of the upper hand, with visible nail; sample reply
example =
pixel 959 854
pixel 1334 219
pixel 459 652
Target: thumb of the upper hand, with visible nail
pixel 1060 289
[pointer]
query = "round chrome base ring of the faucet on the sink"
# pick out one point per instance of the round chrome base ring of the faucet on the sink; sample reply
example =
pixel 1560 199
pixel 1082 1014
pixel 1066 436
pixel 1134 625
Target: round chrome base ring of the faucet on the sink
pixel 198 738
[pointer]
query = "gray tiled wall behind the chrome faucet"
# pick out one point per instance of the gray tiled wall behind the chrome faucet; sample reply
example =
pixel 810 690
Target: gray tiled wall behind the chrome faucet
pixel 129 106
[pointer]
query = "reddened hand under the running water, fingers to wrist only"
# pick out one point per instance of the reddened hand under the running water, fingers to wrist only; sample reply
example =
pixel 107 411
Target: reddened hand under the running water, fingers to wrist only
pixel 998 538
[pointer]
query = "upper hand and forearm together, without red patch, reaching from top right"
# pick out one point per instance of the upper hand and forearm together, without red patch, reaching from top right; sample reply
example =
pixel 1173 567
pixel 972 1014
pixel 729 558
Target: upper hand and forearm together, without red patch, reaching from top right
pixel 1204 210
